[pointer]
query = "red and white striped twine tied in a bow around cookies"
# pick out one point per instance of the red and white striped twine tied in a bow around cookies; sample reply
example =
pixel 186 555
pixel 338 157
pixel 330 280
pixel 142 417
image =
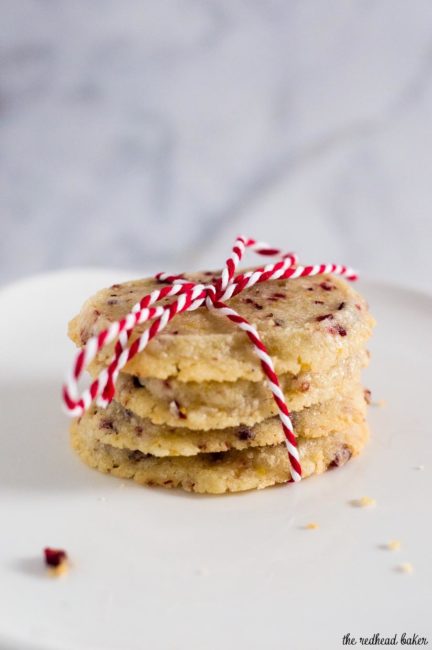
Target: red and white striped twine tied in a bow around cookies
pixel 191 296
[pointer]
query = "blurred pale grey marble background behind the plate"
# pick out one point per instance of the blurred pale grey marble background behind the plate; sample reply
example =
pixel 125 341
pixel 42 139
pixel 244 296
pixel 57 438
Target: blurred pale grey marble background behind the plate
pixel 148 134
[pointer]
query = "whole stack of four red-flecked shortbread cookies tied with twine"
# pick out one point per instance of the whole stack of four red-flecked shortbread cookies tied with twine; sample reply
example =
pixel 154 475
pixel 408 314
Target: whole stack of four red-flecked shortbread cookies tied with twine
pixel 193 409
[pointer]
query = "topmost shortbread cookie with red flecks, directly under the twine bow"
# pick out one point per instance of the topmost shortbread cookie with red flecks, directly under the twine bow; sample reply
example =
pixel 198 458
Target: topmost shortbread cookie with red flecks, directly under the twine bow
pixel 307 324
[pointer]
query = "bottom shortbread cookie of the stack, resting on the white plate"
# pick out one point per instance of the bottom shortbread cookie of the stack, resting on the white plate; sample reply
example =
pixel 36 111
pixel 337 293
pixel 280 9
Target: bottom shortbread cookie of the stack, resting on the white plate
pixel 231 471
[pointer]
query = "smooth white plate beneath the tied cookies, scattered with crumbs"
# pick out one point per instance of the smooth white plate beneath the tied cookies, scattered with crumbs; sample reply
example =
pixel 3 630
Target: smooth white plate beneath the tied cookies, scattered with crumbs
pixel 162 569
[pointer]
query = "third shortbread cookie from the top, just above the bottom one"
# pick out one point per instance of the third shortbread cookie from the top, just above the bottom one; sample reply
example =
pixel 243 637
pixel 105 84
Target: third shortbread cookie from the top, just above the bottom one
pixel 120 428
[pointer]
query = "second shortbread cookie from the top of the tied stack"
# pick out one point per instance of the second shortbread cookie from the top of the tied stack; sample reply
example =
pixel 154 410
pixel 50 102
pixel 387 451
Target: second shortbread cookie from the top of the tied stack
pixel 217 405
